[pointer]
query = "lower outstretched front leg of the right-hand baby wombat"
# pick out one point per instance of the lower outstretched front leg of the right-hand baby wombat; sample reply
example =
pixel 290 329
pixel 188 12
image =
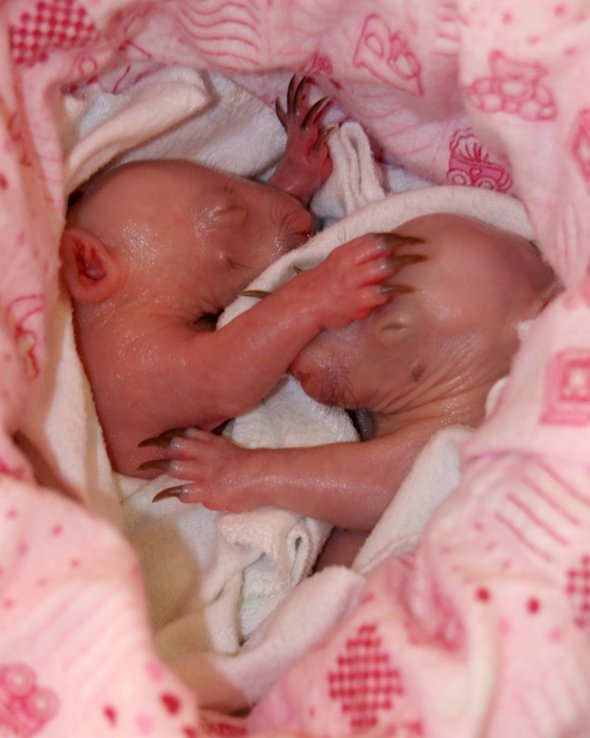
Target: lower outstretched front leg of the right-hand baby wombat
pixel 348 485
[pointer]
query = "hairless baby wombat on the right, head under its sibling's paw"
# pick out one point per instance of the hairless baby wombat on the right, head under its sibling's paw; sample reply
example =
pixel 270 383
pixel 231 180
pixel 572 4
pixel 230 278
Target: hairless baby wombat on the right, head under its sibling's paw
pixel 423 361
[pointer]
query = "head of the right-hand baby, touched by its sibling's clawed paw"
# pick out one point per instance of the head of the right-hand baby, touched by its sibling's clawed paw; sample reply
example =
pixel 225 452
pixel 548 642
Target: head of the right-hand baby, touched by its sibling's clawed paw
pixel 458 327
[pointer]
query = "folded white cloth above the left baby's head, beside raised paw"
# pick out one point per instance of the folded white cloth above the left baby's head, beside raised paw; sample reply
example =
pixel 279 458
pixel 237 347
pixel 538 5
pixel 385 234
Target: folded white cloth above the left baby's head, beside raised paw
pixel 200 116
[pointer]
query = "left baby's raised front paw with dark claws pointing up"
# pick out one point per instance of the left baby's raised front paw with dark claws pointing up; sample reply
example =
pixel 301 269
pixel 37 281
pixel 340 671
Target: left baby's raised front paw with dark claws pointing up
pixel 305 164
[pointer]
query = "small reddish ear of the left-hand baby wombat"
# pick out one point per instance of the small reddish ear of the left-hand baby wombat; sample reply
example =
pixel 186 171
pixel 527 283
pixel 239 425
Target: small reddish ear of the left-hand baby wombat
pixel 91 270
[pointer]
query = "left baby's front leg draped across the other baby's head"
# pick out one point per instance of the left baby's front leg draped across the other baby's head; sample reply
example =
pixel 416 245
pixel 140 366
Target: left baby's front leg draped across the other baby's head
pixel 230 370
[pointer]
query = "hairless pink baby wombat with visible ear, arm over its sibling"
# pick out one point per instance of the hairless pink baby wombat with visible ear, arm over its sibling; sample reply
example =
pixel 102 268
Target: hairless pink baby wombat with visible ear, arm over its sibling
pixel 153 251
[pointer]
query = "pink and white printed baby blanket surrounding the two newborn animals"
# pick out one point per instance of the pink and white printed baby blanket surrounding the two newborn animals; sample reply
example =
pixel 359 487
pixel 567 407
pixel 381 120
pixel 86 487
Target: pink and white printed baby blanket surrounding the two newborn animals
pixel 485 629
